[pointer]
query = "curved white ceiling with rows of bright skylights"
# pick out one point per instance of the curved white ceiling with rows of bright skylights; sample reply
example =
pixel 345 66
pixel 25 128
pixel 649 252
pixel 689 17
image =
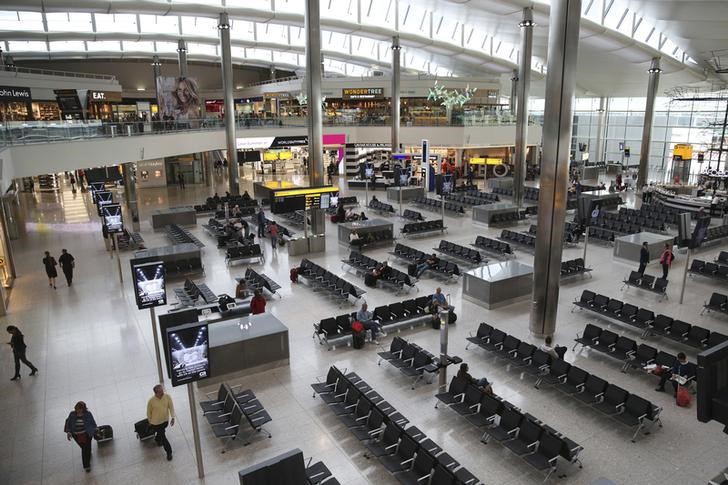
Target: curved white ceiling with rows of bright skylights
pixel 461 38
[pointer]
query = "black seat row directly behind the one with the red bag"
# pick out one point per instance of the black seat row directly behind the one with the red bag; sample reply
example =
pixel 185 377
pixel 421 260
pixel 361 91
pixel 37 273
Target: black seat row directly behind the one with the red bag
pixel 650 324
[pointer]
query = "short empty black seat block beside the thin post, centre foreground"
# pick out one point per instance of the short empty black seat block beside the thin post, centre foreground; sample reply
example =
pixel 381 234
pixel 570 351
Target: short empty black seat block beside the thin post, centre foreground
pixel 414 361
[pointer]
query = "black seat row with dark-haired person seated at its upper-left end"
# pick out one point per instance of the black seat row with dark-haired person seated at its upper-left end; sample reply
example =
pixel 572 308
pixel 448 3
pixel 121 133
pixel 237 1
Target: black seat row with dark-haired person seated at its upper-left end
pixel 522 433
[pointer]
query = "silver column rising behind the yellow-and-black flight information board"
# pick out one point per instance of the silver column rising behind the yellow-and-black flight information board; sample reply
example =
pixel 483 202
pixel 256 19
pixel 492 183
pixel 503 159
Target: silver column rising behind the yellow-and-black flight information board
pixel 313 90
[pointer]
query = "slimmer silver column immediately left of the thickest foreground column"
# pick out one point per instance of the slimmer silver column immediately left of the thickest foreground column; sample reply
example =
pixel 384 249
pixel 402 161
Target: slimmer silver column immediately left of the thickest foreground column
pixel 524 84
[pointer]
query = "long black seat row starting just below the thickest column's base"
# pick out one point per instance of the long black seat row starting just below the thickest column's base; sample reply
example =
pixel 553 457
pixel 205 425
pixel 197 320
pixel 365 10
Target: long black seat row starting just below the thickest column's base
pixel 611 400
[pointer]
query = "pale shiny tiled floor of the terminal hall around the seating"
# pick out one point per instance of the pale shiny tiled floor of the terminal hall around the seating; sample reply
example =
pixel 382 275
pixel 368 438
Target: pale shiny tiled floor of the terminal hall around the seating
pixel 92 344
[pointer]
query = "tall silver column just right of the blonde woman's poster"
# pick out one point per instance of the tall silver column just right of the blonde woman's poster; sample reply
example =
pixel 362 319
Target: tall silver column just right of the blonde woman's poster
pixel 229 106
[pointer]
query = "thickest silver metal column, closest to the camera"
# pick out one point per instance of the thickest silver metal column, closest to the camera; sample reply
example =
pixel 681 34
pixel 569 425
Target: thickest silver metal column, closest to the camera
pixel 558 118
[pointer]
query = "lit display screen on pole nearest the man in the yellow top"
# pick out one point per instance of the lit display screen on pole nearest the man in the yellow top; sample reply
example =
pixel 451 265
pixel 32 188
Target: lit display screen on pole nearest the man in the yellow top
pixel 188 353
